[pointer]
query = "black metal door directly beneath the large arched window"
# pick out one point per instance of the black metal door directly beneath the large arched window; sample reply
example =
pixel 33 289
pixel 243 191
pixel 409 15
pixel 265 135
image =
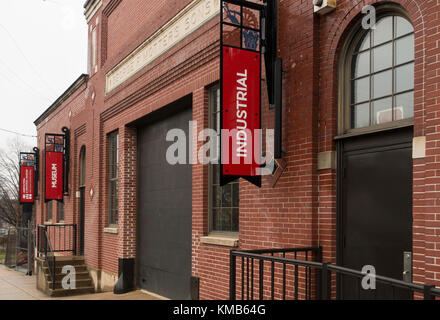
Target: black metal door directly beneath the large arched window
pixel 376 219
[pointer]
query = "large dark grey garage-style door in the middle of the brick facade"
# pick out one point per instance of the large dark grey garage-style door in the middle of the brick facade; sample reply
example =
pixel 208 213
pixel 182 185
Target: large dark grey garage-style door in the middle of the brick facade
pixel 165 208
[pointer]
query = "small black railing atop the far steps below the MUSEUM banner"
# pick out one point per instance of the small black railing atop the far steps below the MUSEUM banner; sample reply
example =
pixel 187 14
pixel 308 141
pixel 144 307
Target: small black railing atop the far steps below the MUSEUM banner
pixel 62 238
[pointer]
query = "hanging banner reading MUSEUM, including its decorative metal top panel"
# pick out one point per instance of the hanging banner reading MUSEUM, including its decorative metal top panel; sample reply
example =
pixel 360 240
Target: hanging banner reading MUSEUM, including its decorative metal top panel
pixel 54 167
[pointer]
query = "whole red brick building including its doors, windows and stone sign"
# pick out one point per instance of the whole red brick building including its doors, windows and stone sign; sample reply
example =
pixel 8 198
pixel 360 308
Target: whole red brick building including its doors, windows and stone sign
pixel 361 140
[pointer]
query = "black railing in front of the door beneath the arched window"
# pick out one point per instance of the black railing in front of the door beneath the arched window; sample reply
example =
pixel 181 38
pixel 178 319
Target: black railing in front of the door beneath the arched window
pixel 289 274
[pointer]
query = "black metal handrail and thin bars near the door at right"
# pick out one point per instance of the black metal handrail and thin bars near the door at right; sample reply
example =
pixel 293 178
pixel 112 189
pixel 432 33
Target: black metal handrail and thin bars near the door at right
pixel 323 273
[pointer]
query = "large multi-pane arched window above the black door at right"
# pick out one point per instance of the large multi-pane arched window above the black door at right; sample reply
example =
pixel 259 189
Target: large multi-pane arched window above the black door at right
pixel 378 74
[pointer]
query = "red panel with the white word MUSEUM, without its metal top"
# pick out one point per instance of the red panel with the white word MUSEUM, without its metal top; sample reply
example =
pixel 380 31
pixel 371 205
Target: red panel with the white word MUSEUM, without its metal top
pixel 54 176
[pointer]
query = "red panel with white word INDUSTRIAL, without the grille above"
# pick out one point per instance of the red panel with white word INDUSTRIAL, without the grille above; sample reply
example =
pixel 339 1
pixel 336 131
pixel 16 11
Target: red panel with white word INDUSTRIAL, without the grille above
pixel 241 112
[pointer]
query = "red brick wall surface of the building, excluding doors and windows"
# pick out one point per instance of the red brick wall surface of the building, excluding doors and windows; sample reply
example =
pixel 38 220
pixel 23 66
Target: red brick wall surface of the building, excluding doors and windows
pixel 301 209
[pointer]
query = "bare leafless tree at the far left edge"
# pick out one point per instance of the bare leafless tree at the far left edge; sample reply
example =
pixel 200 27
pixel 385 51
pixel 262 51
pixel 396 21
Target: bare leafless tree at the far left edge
pixel 9 181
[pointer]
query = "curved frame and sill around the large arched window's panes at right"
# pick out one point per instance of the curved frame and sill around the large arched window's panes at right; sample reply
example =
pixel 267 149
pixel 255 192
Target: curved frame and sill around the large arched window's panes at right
pixel 344 75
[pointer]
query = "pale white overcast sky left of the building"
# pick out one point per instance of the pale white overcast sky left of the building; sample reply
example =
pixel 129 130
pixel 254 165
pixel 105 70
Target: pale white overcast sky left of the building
pixel 43 49
